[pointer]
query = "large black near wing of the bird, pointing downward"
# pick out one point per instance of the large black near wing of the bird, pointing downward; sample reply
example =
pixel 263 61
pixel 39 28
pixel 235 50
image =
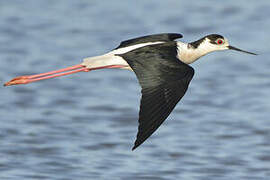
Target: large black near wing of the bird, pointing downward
pixel 164 80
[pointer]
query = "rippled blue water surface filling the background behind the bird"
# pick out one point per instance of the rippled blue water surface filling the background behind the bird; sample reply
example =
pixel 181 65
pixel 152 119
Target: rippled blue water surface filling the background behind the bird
pixel 84 125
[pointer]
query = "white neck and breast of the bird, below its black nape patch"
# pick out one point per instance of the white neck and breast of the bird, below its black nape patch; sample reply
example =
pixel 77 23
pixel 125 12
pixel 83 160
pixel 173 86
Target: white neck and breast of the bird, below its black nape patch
pixel 189 54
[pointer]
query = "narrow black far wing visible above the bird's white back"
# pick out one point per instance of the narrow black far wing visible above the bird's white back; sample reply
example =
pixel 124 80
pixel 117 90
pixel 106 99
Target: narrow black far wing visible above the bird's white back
pixel 165 37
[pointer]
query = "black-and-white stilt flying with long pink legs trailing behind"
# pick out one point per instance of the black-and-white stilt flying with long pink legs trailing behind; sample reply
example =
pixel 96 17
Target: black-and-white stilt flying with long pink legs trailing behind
pixel 161 65
